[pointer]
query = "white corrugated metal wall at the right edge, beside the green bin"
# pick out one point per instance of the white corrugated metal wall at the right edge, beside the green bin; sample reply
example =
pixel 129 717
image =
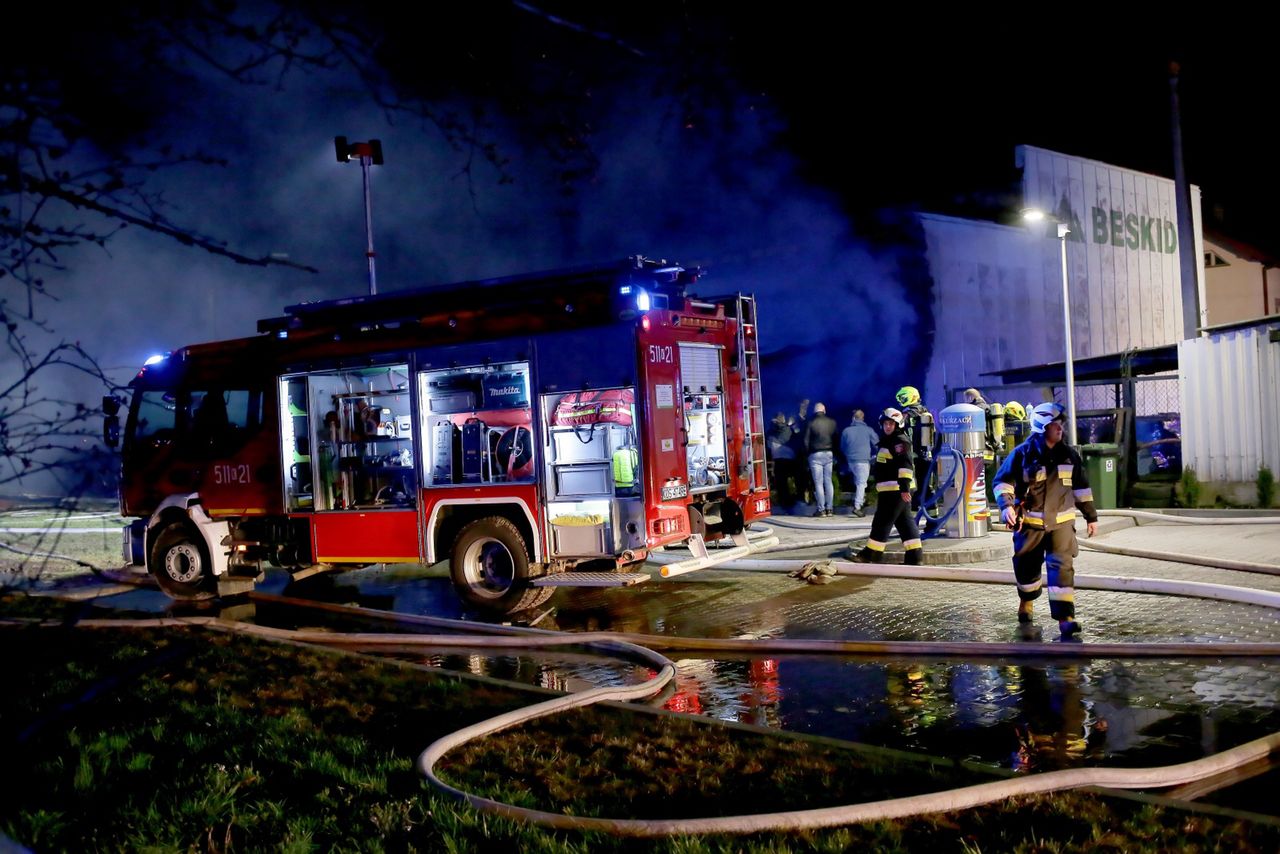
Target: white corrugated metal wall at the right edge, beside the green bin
pixel 1231 404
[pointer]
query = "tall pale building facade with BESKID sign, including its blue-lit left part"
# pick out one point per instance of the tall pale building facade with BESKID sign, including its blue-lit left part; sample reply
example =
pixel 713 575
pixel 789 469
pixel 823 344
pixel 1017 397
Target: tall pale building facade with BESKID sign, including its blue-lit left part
pixel 998 300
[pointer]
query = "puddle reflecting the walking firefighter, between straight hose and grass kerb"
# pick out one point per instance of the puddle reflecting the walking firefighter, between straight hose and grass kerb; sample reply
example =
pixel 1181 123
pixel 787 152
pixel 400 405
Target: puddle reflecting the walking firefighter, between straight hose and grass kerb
pixel 1014 715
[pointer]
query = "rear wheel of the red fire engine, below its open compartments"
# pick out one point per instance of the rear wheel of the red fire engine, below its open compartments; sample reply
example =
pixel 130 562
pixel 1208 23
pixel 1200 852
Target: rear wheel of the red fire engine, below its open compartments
pixel 491 568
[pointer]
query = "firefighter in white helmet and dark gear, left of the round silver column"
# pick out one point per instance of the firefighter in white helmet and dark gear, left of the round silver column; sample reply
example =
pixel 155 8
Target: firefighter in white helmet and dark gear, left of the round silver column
pixel 894 473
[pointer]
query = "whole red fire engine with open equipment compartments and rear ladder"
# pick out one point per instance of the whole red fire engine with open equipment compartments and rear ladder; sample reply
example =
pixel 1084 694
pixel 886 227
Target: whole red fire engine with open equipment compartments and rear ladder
pixel 538 431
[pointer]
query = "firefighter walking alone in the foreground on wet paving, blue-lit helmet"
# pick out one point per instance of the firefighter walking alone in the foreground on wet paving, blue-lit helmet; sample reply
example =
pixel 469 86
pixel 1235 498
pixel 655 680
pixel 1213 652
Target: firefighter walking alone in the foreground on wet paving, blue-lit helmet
pixel 1040 490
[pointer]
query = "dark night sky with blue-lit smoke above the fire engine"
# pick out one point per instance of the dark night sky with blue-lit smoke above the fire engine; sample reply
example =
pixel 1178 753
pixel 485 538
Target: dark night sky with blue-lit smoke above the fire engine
pixel 781 148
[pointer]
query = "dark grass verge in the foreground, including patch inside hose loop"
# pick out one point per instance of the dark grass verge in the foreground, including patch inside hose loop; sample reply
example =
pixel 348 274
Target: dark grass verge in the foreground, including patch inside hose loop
pixel 188 739
